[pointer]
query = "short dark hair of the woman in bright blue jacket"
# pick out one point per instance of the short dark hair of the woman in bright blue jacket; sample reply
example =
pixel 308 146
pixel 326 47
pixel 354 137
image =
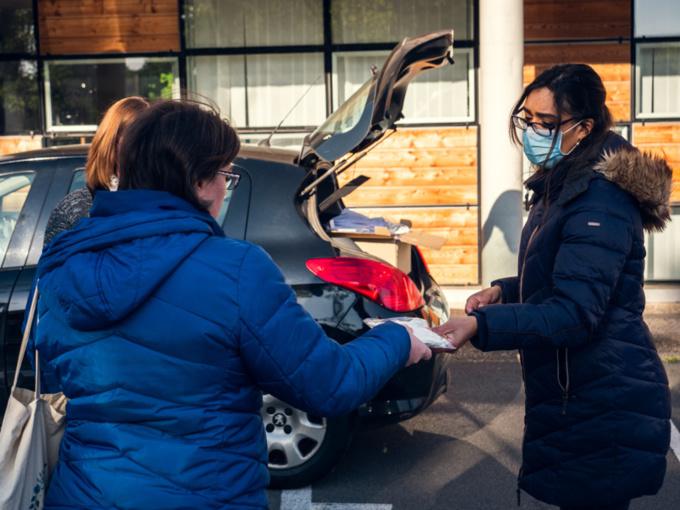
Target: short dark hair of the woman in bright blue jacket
pixel 173 145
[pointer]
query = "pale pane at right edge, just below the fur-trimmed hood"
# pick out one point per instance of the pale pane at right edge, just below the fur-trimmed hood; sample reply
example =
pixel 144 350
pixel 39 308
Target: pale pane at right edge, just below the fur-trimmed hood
pixel 663 262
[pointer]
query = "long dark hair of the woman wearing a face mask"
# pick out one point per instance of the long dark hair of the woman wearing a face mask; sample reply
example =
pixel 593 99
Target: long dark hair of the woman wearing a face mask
pixel 580 94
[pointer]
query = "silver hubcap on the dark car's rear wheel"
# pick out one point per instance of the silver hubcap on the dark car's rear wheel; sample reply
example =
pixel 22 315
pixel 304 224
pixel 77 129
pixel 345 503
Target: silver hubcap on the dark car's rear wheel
pixel 293 436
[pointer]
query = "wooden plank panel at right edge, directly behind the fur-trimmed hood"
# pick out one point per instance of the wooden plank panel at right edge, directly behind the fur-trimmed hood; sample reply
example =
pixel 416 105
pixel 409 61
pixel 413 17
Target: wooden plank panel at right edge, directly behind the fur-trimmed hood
pixel 662 139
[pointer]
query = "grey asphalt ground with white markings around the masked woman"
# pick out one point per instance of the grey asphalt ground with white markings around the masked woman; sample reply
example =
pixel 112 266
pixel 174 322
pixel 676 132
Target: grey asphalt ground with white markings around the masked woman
pixel 464 451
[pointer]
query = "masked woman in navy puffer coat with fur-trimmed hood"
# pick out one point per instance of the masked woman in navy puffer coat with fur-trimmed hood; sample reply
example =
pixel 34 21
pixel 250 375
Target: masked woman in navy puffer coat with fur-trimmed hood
pixel 597 427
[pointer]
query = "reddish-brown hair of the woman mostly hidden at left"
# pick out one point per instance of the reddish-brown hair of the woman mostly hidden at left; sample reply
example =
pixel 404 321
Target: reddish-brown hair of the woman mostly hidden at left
pixel 102 158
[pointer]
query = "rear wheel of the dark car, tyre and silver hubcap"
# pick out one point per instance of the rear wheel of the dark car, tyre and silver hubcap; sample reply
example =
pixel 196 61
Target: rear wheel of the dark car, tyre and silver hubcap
pixel 302 447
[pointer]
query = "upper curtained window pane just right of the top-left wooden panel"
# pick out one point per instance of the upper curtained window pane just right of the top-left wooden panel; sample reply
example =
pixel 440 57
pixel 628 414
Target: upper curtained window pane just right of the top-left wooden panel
pixel 234 23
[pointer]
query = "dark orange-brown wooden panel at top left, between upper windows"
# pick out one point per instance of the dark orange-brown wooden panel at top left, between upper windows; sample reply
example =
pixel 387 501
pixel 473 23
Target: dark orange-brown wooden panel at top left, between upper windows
pixel 106 26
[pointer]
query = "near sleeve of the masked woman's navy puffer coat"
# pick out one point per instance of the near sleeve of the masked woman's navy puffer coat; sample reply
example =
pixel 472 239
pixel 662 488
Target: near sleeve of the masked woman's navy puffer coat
pixel 593 249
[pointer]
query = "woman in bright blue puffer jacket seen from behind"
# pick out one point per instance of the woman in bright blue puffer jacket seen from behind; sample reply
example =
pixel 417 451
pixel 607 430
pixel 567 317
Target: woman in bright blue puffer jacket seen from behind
pixel 163 334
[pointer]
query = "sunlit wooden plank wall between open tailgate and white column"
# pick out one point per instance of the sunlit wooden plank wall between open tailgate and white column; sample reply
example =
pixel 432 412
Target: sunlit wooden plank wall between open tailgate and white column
pixel 428 176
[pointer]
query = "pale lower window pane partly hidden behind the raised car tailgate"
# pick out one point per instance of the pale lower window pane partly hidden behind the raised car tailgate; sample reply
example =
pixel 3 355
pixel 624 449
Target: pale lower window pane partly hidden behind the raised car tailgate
pixel 438 95
